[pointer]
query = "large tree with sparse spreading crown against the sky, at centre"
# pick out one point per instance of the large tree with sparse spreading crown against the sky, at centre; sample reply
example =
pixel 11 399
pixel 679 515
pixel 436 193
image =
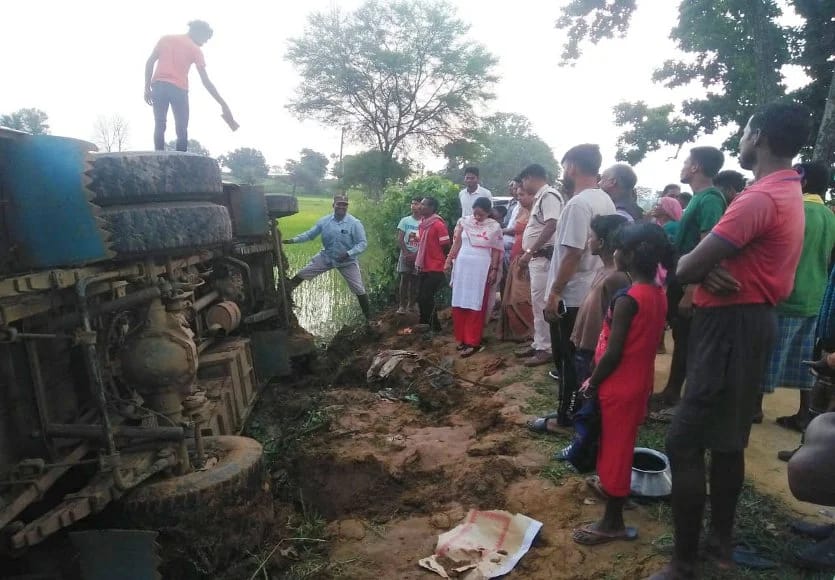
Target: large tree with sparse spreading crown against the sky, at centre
pixel 392 73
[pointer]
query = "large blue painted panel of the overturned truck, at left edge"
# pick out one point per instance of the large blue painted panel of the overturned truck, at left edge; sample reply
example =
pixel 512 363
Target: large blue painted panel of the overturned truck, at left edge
pixel 51 223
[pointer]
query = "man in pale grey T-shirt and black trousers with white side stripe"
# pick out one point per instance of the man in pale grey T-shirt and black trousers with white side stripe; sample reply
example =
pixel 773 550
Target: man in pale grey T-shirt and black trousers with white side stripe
pixel 573 267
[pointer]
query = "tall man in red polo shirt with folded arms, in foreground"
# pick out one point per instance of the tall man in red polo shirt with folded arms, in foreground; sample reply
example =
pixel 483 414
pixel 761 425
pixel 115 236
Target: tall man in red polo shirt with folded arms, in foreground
pixel 744 267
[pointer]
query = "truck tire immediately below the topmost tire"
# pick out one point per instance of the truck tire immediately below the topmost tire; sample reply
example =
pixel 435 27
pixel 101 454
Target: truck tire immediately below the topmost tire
pixel 162 227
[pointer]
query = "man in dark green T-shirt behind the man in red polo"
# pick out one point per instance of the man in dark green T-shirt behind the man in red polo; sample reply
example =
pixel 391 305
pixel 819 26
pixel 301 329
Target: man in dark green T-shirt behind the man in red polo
pixel 702 213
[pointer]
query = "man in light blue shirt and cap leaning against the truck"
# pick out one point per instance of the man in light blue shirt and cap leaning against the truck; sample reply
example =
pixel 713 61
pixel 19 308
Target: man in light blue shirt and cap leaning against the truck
pixel 343 239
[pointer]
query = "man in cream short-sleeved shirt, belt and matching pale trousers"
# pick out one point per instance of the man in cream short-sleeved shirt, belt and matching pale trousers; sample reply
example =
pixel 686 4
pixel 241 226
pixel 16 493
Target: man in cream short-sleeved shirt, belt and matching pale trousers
pixel 538 247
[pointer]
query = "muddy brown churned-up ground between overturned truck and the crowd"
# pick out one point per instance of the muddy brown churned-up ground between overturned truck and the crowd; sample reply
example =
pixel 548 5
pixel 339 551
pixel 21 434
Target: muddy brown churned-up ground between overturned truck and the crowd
pixel 365 476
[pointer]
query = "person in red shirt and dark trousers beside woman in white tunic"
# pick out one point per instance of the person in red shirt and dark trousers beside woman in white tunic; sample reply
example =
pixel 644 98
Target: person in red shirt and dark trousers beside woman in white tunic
pixel 433 244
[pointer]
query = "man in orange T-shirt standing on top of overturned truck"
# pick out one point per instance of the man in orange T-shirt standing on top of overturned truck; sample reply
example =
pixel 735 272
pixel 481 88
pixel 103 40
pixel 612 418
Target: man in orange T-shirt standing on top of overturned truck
pixel 168 83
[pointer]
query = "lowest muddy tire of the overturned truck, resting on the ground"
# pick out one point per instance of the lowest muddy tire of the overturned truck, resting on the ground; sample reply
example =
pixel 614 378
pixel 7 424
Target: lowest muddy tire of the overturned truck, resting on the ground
pixel 207 520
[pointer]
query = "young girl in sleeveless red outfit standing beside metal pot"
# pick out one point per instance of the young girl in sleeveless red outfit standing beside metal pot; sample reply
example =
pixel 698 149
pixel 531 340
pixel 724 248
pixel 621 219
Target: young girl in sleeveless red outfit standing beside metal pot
pixel 622 380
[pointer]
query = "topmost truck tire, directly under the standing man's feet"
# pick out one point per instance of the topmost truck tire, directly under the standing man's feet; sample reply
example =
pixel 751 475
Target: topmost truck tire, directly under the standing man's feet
pixel 126 178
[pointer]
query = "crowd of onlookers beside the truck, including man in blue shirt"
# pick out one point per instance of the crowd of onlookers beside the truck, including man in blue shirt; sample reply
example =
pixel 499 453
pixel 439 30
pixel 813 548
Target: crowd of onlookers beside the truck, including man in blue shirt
pixel 588 282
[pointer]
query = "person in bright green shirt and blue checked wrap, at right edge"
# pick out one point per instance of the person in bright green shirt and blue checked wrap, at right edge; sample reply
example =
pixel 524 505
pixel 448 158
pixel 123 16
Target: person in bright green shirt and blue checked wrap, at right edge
pixel 797 315
